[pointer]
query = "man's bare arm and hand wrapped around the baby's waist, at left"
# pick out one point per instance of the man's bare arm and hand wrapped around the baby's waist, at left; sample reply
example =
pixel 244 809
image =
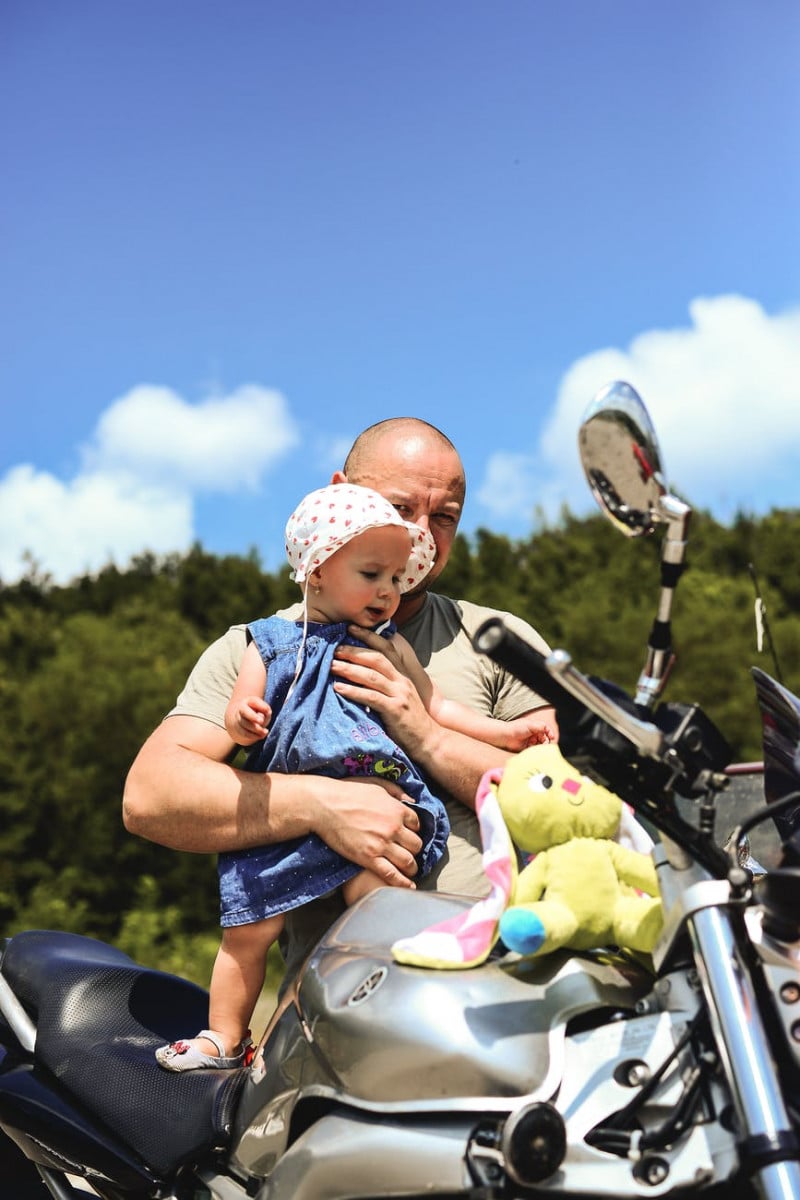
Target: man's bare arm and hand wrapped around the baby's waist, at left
pixel 182 793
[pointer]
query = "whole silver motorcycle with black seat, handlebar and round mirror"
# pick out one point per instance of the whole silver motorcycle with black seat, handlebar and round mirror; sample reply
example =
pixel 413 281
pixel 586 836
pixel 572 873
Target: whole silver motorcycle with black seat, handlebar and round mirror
pixel 599 1075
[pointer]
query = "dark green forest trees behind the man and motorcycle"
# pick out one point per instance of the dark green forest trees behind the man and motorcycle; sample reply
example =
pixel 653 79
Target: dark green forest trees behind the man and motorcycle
pixel 91 669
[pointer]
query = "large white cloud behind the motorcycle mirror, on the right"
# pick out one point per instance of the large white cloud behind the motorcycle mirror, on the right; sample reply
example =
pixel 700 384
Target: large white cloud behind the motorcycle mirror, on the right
pixel 724 397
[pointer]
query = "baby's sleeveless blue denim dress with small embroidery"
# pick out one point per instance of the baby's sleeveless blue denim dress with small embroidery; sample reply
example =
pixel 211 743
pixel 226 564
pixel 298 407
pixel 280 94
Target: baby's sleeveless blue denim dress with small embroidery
pixel 316 731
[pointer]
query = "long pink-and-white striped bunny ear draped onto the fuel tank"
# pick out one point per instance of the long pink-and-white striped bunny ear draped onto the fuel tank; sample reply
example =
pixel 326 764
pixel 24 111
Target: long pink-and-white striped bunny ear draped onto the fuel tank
pixel 466 940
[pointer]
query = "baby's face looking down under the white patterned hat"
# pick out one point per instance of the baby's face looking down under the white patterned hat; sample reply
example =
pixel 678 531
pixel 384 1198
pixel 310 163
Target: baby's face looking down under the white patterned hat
pixel 362 583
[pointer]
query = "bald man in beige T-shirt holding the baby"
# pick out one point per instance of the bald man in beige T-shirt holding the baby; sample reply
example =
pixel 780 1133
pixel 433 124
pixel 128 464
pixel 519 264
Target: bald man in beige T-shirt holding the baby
pixel 183 791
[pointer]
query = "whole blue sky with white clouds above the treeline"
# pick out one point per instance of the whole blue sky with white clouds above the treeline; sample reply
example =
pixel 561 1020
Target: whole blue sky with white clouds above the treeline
pixel 234 235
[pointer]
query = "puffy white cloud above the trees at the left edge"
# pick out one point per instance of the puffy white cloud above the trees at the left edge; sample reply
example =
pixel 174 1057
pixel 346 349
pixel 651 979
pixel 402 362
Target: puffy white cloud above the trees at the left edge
pixel 151 455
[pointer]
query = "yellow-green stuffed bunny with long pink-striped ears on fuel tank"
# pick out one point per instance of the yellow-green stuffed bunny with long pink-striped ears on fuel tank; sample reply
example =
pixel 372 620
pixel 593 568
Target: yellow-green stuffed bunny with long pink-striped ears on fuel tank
pixel 581 890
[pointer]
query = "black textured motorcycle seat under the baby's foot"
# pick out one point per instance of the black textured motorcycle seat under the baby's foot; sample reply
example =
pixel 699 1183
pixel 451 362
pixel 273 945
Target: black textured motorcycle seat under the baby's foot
pixel 99 1019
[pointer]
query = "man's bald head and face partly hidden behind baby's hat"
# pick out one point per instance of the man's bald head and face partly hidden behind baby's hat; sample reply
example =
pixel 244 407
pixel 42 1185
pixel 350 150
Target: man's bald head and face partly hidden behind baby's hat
pixel 424 482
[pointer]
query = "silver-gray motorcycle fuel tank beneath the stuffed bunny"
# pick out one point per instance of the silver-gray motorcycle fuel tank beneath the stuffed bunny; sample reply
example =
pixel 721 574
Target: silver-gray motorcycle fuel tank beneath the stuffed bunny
pixel 390 1033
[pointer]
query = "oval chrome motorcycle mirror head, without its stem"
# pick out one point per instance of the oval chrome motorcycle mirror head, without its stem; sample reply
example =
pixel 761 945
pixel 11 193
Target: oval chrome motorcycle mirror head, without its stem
pixel 622 461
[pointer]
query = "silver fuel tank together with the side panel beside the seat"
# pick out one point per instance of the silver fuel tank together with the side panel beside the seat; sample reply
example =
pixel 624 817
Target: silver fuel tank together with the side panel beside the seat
pixel 460 1041
